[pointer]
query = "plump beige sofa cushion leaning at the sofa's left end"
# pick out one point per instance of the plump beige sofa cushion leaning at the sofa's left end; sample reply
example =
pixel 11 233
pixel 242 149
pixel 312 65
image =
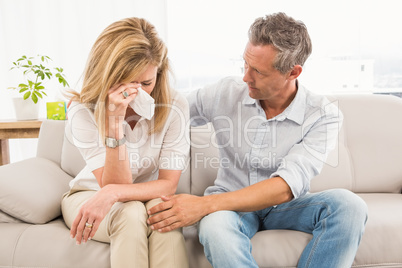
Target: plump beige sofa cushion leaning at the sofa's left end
pixel 31 190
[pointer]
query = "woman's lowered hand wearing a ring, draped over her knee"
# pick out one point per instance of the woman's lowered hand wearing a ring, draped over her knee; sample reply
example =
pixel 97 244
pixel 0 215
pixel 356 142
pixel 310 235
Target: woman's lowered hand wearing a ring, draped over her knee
pixel 91 214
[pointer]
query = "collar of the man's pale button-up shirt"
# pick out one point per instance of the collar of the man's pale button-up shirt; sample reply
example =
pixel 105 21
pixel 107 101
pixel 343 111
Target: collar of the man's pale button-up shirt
pixel 296 109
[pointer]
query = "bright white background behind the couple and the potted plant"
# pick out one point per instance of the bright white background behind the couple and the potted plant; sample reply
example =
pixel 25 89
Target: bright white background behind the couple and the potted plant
pixel 206 39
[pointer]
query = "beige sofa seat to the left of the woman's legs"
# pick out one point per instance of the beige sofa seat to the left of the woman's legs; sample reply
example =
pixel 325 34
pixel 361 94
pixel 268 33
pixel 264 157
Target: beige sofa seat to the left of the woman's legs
pixel 48 245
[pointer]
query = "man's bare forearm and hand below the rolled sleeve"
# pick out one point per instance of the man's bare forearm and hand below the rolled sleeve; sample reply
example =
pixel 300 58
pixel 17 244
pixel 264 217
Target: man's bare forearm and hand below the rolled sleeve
pixel 183 210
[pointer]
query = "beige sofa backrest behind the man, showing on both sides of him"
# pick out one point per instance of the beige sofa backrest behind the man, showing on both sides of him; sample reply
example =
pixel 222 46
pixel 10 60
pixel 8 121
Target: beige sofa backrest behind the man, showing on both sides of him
pixel 366 158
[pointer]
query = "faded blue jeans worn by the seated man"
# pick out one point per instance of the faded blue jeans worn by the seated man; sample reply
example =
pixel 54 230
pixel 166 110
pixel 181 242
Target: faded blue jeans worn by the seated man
pixel 336 219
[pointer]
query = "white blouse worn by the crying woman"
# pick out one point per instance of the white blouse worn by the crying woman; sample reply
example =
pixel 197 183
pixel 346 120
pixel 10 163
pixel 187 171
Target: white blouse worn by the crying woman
pixel 167 149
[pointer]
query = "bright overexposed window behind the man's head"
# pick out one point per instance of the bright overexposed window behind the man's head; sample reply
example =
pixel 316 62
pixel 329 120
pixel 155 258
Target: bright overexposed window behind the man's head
pixel 356 48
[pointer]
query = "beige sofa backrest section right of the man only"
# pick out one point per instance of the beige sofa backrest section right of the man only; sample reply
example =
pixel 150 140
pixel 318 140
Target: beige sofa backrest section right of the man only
pixel 370 146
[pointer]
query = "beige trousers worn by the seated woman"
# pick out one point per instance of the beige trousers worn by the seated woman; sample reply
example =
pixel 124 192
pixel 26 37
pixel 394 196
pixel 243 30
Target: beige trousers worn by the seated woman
pixel 132 242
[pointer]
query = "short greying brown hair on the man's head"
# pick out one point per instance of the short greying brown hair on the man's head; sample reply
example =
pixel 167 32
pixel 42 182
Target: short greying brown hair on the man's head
pixel 288 36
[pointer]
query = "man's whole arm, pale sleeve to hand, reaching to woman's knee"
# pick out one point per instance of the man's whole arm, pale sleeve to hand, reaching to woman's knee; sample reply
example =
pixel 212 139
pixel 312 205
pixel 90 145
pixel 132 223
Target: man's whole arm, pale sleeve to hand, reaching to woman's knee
pixel 303 162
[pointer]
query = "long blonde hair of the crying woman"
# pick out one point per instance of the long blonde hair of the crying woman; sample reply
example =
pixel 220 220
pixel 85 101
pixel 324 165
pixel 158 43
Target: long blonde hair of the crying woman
pixel 121 53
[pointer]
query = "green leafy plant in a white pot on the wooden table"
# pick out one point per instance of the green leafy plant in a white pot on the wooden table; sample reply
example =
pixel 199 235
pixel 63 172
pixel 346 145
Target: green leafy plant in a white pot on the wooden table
pixel 36 71
